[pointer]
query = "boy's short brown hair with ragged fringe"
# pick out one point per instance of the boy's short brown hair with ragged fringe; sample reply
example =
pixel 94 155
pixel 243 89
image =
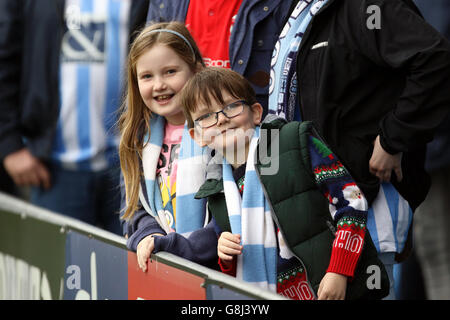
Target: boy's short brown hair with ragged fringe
pixel 207 86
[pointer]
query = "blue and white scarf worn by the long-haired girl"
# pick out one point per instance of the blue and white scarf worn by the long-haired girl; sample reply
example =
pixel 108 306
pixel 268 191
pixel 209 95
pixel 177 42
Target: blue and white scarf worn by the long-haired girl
pixel 190 212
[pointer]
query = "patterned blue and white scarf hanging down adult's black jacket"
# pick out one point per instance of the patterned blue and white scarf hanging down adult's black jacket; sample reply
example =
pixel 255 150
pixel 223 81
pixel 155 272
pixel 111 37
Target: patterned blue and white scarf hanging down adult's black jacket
pixel 283 75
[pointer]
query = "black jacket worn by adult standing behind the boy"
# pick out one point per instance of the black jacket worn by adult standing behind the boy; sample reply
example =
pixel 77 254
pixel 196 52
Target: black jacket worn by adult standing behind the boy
pixel 393 81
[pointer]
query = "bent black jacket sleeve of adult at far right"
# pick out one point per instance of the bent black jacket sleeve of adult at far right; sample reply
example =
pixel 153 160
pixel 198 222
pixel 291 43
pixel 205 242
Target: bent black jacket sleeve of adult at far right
pixel 405 42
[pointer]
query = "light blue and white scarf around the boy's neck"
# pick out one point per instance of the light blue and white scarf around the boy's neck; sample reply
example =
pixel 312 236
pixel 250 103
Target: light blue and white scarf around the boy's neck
pixel 250 217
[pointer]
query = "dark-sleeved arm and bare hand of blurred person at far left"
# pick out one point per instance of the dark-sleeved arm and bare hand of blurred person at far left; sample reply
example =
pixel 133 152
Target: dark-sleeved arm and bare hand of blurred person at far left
pixel 24 168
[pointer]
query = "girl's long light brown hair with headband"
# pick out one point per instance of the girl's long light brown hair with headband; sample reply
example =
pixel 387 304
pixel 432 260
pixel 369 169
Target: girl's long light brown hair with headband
pixel 134 120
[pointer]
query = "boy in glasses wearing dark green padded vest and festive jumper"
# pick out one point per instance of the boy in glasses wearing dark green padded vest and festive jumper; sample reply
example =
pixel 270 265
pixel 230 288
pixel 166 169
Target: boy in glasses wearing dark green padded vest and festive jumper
pixel 276 229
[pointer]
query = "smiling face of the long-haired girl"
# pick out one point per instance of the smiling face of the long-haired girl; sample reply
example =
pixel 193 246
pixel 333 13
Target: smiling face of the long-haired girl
pixel 161 74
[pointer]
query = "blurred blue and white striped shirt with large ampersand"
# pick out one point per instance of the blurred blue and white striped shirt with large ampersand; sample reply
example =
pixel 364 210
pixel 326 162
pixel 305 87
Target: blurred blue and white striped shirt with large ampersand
pixel 93 57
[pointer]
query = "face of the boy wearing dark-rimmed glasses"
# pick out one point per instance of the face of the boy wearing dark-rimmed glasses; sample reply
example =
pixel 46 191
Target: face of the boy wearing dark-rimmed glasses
pixel 228 133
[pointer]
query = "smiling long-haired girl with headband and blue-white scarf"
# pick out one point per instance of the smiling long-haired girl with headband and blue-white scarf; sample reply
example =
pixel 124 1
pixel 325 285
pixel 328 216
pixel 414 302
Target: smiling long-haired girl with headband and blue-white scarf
pixel 155 146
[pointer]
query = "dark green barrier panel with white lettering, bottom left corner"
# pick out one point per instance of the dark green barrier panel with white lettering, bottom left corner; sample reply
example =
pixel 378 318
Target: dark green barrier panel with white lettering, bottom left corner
pixel 31 258
